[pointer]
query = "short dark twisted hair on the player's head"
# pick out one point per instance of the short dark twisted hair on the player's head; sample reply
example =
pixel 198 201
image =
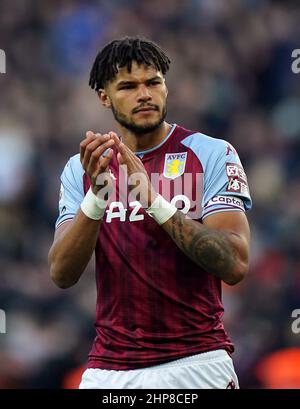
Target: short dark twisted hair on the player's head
pixel 121 53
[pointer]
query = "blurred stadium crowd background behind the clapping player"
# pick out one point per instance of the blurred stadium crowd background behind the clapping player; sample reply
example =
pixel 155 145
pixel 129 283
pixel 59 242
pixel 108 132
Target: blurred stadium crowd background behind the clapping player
pixel 231 78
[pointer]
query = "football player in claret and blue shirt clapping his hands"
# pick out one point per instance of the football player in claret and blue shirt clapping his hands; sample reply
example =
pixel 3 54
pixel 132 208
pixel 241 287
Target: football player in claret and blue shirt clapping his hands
pixel 158 269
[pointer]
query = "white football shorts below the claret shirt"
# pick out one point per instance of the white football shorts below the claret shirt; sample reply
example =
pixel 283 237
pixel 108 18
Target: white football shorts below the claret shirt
pixel 209 370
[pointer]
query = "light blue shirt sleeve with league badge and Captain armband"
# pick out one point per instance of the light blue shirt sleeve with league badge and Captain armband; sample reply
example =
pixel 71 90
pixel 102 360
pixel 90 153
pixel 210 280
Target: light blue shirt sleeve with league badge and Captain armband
pixel 225 182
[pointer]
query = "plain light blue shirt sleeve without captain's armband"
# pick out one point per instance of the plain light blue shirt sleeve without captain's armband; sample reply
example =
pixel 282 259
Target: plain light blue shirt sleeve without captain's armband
pixel 71 190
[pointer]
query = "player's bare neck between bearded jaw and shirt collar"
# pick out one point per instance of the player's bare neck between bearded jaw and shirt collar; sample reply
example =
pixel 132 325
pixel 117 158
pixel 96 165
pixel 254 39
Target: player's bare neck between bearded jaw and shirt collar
pixel 142 142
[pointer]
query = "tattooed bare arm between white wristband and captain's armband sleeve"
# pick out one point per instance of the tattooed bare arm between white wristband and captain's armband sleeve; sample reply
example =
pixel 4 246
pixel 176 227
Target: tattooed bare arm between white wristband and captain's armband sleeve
pixel 220 245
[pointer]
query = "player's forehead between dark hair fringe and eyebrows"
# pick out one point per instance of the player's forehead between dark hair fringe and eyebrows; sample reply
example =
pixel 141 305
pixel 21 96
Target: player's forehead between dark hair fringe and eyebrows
pixel 138 73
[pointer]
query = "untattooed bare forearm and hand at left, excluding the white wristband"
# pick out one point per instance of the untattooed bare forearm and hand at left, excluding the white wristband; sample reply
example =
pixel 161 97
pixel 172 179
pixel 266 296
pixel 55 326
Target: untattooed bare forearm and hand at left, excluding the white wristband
pixel 75 240
